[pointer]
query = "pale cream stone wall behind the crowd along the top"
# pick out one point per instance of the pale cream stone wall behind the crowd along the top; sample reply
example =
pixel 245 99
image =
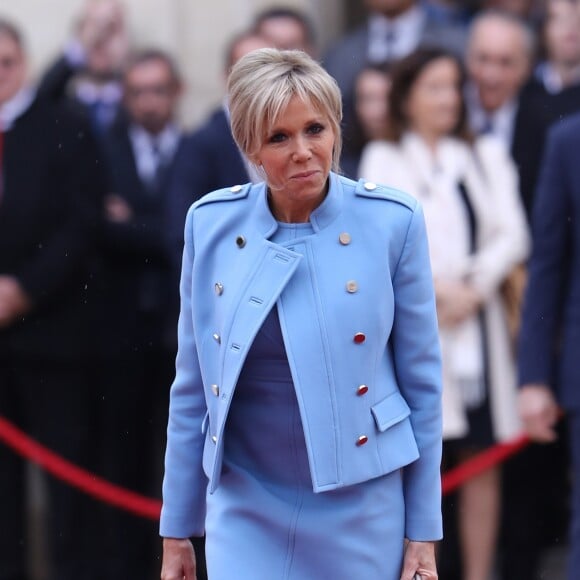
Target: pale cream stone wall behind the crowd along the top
pixel 196 32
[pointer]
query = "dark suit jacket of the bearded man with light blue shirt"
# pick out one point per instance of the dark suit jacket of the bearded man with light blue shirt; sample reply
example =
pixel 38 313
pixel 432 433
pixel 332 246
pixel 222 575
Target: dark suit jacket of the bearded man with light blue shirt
pixel 138 280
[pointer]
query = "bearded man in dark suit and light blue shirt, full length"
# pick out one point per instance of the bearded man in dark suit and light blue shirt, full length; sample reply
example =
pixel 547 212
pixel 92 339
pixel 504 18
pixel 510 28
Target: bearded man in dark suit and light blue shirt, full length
pixel 139 304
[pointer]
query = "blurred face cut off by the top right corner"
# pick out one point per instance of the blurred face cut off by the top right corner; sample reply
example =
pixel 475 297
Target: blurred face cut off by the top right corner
pixel 562 32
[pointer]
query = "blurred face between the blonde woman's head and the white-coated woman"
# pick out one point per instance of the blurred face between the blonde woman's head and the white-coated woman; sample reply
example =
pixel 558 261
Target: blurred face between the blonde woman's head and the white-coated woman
pixel 371 97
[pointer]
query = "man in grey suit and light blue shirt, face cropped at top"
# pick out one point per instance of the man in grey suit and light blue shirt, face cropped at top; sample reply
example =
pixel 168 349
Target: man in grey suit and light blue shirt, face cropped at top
pixel 394 29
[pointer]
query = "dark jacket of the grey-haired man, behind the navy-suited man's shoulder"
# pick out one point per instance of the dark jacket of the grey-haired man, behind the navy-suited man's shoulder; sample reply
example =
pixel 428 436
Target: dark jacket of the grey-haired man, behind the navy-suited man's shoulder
pixel 537 111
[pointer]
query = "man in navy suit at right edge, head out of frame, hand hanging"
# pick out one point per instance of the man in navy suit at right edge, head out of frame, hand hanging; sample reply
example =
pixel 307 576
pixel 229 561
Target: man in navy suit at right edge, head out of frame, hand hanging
pixel 550 339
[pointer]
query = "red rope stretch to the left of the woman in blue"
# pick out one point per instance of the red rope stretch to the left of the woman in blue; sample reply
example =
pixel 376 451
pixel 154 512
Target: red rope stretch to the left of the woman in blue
pixel 77 477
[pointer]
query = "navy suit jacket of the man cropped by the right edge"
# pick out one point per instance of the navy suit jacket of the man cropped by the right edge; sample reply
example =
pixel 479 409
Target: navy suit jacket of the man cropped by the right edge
pixel 549 348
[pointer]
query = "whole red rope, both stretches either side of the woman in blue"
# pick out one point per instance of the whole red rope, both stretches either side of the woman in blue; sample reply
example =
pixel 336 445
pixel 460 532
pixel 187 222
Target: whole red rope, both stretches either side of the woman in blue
pixel 150 508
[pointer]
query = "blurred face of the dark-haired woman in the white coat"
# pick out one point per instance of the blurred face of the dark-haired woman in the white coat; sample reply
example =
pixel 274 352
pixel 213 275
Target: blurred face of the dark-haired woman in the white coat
pixel 434 102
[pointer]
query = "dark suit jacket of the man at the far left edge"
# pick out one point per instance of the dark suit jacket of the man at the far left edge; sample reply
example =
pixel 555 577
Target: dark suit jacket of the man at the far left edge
pixel 49 213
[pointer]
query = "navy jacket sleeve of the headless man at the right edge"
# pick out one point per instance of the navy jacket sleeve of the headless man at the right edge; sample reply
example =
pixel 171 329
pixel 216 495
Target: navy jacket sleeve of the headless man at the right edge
pixel 551 231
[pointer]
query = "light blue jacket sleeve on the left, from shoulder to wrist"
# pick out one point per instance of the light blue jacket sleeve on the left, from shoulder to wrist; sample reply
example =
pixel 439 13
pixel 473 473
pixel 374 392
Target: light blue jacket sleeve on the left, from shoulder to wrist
pixel 185 483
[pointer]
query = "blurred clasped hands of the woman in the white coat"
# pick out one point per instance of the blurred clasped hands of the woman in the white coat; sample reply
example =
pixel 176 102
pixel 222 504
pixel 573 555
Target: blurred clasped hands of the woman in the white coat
pixel 456 301
